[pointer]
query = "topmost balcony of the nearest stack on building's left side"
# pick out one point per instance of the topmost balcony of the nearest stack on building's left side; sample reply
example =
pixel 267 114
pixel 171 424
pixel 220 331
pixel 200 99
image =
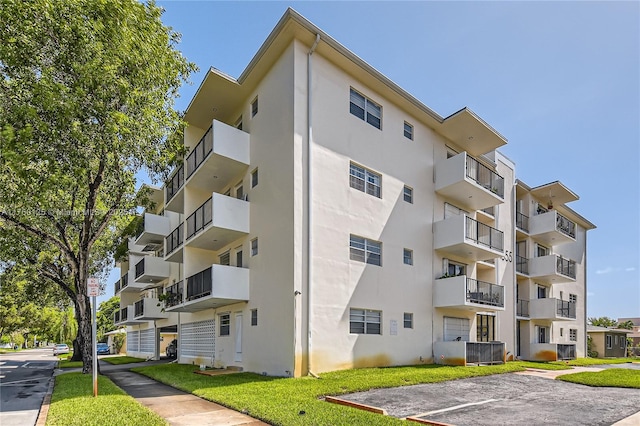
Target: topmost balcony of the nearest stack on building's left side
pixel 221 155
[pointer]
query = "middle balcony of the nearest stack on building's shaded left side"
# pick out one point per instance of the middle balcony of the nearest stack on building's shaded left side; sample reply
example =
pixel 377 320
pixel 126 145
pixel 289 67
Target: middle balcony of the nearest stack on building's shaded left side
pixel 217 222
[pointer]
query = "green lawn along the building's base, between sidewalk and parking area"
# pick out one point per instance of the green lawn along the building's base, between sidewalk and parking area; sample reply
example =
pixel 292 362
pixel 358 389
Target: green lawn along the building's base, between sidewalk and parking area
pixel 288 401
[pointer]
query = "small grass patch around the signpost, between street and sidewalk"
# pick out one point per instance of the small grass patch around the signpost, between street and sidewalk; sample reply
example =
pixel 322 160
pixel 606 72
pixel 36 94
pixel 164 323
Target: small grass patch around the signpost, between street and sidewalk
pixel 72 403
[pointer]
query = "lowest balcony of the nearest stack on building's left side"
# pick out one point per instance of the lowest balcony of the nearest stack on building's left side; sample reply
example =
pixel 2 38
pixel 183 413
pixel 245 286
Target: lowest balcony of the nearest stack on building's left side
pixel 216 286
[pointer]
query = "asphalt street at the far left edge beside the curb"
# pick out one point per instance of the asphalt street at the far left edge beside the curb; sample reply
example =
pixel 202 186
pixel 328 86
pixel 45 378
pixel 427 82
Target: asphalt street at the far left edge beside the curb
pixel 24 378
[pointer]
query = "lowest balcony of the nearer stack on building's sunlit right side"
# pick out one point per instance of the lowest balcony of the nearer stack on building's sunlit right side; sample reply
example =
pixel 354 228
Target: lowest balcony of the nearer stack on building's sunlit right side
pixel 466 293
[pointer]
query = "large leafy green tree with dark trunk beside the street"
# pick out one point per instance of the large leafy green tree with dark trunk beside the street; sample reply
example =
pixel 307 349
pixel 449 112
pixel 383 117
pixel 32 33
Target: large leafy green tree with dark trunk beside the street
pixel 87 92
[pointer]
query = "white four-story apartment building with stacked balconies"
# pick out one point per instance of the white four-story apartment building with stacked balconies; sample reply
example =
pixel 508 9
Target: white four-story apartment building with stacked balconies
pixel 326 219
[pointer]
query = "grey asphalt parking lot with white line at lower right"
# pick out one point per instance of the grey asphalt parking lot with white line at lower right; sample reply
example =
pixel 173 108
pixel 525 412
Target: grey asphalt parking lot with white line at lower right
pixel 505 399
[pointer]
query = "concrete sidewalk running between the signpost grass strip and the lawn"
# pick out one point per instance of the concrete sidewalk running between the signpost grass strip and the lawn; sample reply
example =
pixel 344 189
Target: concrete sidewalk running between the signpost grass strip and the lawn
pixel 177 407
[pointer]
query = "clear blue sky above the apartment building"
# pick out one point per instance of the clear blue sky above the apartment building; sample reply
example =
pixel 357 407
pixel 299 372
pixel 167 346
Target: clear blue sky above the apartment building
pixel 560 80
